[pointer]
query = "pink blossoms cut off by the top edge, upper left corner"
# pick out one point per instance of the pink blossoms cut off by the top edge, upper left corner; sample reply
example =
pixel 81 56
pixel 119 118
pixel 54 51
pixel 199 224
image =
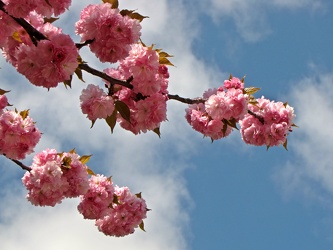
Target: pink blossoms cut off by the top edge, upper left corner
pixel 22 8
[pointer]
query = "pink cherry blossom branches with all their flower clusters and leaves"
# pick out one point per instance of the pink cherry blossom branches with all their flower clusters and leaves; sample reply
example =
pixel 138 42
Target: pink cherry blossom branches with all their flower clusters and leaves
pixel 135 95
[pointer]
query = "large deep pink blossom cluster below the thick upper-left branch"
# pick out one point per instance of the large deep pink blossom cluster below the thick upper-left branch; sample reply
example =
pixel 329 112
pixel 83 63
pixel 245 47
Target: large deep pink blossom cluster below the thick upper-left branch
pixel 51 61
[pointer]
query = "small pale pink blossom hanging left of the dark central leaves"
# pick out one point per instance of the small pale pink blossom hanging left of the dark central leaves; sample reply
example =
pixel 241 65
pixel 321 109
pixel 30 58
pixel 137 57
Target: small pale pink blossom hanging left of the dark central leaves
pixel 96 103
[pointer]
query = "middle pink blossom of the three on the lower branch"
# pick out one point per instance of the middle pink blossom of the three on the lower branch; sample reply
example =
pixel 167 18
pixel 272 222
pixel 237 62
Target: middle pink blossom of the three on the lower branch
pixel 98 199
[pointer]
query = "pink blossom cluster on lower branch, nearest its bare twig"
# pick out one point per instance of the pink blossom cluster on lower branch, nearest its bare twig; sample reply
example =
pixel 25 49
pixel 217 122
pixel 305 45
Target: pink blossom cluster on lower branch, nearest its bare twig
pixel 54 177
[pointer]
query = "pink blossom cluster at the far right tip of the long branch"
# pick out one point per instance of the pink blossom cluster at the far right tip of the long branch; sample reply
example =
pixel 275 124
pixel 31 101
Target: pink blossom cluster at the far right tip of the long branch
pixel 269 124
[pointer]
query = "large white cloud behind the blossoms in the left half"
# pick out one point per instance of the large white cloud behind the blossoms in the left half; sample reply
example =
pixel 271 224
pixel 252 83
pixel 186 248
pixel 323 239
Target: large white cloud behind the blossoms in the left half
pixel 144 163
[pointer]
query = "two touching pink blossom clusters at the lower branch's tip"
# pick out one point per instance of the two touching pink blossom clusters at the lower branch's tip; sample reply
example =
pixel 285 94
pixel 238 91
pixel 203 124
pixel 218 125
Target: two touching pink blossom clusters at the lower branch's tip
pixel 117 212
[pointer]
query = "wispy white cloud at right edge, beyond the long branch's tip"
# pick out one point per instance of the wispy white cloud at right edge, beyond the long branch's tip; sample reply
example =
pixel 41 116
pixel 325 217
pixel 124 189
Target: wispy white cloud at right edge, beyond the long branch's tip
pixel 311 171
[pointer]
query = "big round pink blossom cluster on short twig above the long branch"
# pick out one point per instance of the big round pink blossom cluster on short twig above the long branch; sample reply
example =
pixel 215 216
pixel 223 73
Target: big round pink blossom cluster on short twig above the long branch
pixel 111 32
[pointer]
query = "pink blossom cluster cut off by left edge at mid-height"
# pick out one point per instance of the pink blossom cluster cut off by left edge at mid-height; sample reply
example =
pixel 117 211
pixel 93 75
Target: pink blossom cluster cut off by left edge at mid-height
pixel 18 135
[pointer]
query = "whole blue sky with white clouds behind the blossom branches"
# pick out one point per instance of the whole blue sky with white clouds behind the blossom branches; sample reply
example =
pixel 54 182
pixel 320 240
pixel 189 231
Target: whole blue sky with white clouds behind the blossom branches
pixel 203 195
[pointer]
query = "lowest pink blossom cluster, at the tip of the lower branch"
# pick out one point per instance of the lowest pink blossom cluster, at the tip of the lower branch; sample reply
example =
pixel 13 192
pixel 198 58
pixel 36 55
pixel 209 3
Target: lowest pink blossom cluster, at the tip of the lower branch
pixel 122 218
